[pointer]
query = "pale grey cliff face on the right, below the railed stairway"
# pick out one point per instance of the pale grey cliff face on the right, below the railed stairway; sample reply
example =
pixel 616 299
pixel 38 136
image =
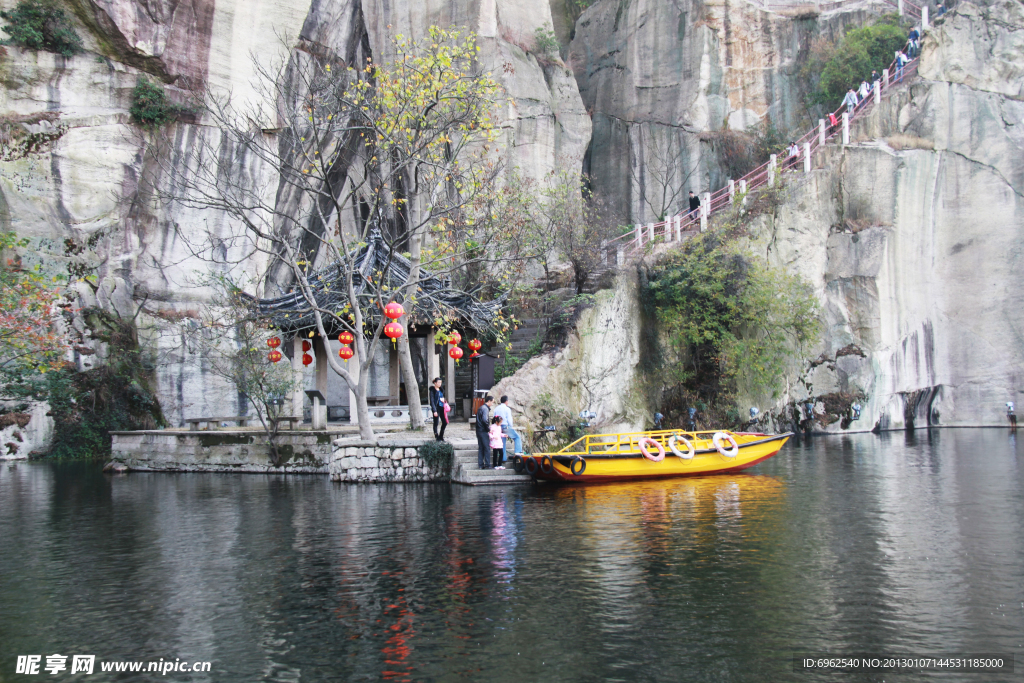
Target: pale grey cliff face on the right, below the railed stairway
pixel 913 236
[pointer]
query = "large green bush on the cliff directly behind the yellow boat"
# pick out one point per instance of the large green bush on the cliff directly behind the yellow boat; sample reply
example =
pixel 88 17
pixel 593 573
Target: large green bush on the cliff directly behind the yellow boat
pixel 730 322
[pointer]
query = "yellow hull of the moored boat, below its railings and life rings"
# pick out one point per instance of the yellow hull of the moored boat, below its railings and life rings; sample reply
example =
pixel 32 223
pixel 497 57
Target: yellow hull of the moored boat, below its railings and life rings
pixel 753 449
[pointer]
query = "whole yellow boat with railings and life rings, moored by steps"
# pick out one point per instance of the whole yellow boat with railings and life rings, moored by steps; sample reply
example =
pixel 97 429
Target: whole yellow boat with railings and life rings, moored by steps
pixel 651 455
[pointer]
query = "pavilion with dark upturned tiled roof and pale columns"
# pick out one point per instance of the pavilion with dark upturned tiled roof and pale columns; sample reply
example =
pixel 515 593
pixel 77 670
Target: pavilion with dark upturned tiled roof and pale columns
pixel 436 301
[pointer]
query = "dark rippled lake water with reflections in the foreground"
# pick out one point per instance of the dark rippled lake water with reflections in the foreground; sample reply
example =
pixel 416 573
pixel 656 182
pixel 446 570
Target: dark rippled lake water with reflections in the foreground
pixel 862 544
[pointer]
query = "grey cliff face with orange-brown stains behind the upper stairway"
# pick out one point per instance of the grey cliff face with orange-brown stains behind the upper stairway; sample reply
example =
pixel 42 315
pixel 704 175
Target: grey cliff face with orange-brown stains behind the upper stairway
pixel 658 77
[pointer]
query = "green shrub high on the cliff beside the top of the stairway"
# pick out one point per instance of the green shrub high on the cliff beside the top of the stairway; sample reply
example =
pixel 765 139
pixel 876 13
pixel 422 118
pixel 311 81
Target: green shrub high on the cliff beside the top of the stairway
pixel 852 61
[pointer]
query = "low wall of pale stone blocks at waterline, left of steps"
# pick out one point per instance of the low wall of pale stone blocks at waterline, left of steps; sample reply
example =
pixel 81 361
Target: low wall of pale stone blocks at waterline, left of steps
pixel 380 461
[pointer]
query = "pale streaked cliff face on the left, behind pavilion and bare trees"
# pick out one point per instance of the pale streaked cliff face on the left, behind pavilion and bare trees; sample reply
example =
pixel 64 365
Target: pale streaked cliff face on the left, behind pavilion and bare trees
pixel 81 183
